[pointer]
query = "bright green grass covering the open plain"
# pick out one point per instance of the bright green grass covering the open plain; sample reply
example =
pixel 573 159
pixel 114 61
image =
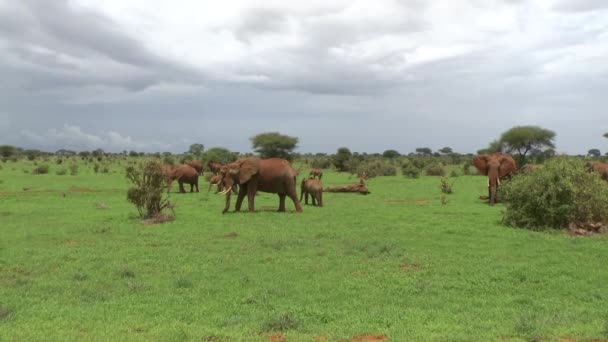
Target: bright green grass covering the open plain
pixel 77 264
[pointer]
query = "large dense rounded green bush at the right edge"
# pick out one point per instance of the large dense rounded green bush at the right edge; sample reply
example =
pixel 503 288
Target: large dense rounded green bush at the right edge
pixel 560 194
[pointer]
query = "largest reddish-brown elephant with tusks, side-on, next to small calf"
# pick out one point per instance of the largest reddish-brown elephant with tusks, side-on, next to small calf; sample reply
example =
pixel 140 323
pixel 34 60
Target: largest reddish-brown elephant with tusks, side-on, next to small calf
pixel 252 174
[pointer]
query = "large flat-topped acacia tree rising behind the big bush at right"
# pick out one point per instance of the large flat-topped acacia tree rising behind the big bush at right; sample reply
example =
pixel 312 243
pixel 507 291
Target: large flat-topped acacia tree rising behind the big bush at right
pixel 522 139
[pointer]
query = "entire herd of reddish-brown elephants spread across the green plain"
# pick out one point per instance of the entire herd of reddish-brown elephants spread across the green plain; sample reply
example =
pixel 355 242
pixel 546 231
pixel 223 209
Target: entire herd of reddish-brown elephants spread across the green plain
pixel 246 176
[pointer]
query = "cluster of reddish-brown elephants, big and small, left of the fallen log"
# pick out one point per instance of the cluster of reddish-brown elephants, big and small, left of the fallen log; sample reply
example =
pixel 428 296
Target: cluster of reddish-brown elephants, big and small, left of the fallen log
pixel 246 177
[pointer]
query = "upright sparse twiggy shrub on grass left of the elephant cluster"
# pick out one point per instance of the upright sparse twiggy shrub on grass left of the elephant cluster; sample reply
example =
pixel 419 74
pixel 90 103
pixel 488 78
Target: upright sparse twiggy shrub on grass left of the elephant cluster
pixel 148 192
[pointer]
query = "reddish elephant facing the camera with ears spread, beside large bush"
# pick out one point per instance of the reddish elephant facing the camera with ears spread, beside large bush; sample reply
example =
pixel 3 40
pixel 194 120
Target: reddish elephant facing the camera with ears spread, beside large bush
pixel 496 166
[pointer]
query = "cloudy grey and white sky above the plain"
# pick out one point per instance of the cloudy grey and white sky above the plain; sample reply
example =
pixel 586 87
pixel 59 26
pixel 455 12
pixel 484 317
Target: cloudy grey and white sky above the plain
pixel 159 75
